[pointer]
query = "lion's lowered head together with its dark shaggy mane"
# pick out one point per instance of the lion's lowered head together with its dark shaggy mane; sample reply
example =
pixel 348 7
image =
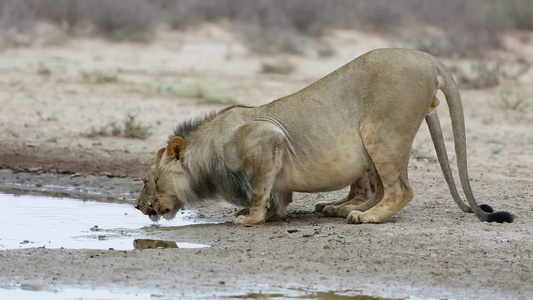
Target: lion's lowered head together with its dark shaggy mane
pixel 183 176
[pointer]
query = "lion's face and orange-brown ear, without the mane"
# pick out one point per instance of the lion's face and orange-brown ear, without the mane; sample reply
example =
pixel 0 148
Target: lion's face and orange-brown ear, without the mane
pixel 167 185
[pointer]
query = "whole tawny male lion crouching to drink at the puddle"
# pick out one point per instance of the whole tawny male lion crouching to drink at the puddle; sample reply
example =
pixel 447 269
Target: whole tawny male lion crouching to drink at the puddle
pixel 354 127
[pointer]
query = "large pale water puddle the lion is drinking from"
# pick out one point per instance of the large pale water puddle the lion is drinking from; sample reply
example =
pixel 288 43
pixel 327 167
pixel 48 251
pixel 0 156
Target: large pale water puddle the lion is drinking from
pixel 33 221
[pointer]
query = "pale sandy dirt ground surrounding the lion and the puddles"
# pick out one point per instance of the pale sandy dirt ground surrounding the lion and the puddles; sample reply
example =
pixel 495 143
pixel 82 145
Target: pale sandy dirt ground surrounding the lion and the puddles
pixel 54 99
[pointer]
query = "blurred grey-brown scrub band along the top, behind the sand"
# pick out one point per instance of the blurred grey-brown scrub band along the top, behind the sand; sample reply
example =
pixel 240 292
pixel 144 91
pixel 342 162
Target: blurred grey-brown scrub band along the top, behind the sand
pixel 455 28
